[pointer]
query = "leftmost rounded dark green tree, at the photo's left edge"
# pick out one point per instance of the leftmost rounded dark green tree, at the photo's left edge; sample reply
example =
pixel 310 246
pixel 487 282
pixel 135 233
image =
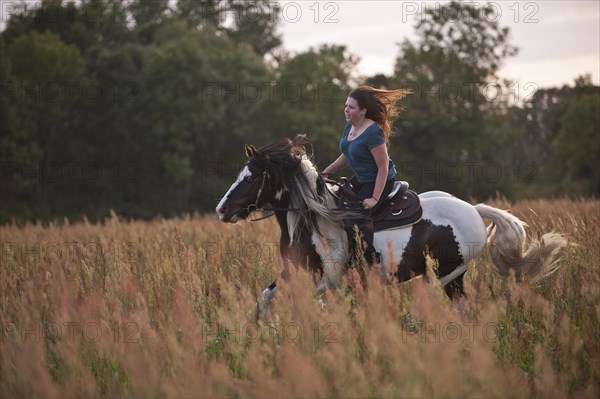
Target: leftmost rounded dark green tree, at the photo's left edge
pixel 41 77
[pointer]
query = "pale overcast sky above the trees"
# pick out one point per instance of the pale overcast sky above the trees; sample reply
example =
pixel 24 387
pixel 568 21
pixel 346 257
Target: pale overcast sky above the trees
pixel 558 40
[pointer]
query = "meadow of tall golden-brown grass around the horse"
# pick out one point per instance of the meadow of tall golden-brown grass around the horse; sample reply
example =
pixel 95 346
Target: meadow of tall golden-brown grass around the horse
pixel 166 308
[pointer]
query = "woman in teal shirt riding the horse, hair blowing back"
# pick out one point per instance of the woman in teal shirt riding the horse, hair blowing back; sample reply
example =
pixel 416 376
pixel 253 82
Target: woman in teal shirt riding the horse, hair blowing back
pixel 369 115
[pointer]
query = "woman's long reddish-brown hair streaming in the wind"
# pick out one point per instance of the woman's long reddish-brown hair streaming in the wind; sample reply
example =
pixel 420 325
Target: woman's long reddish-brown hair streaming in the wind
pixel 381 106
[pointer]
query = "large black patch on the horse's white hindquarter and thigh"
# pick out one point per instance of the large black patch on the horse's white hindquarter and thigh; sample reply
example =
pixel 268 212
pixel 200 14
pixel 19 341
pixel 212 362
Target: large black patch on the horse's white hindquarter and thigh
pixel 441 244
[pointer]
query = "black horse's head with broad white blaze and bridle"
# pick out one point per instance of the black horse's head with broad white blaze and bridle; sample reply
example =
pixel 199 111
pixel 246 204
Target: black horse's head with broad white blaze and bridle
pixel 260 182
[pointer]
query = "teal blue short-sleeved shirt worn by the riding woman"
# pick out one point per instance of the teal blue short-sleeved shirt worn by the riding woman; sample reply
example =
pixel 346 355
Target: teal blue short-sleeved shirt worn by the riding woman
pixel 358 153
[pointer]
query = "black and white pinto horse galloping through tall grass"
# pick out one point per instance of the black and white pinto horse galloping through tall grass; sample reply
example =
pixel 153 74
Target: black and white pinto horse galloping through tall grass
pixel 281 178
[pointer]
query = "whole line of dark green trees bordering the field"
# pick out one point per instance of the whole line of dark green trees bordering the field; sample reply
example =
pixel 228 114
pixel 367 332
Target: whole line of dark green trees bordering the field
pixel 143 107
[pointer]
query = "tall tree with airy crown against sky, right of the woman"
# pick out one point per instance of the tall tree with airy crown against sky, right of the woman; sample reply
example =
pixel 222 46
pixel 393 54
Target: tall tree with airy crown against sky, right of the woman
pixel 451 128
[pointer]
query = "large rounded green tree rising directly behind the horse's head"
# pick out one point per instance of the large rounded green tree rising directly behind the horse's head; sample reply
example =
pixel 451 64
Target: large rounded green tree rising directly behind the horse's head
pixel 198 114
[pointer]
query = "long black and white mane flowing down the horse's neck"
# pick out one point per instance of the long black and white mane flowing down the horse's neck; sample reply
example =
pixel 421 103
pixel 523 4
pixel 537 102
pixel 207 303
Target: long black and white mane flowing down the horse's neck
pixel 290 167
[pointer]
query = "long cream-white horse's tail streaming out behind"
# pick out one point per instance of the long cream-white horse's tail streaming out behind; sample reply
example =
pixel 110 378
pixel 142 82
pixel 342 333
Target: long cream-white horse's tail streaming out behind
pixel 507 239
